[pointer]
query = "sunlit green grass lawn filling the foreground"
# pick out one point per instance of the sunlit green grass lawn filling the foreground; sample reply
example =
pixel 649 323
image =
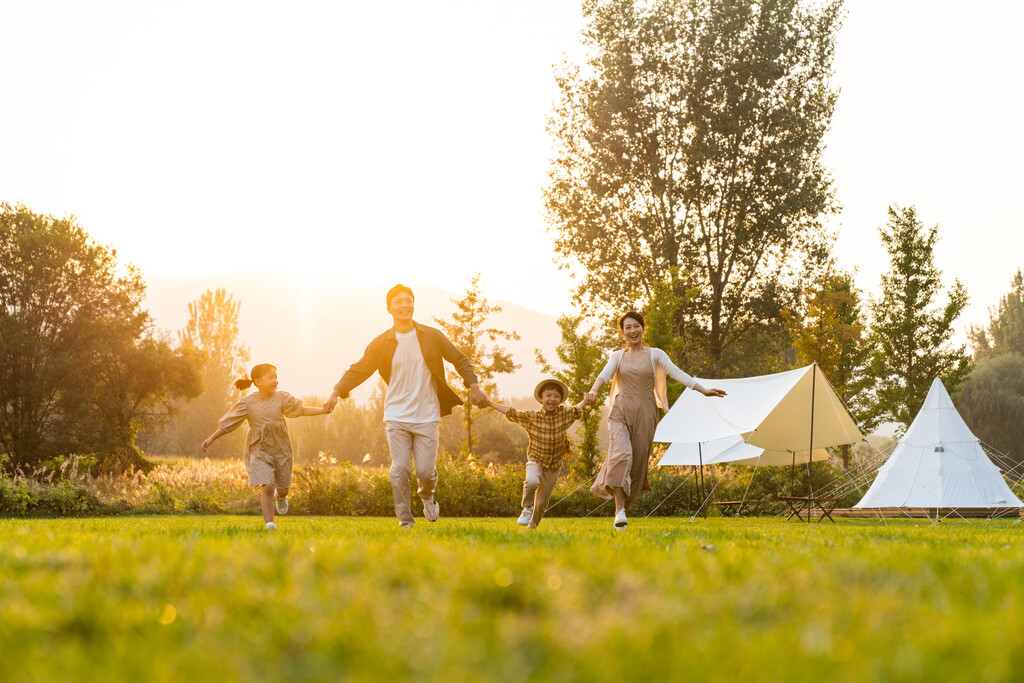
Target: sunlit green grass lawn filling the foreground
pixel 184 599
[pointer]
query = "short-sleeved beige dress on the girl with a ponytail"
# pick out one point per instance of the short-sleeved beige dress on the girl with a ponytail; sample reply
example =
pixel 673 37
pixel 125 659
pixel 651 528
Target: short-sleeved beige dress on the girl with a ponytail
pixel 269 450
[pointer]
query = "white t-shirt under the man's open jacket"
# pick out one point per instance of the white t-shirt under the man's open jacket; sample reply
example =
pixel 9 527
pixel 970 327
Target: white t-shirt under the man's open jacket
pixel 411 395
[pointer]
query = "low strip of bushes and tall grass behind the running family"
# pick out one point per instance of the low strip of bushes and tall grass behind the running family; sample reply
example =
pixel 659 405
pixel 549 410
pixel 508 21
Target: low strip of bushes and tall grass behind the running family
pixel 323 488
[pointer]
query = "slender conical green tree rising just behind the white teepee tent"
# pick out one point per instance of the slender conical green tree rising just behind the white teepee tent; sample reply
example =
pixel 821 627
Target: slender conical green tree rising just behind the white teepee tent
pixel 911 335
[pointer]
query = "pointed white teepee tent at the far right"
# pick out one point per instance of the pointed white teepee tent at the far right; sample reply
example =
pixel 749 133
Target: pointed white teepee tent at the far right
pixel 940 464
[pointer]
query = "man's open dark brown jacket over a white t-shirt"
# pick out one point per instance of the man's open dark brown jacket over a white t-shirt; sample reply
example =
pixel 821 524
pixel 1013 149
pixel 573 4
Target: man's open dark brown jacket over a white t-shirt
pixel 436 348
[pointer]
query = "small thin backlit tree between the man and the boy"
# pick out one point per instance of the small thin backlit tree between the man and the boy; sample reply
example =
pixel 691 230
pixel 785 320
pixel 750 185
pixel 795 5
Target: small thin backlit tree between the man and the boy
pixel 470 333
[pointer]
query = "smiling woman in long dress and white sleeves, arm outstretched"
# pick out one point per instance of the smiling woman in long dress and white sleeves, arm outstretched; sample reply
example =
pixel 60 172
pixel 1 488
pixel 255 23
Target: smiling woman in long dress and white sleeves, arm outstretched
pixel 637 373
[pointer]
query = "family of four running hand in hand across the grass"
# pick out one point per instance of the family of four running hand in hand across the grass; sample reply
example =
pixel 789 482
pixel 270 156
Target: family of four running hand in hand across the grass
pixel 410 358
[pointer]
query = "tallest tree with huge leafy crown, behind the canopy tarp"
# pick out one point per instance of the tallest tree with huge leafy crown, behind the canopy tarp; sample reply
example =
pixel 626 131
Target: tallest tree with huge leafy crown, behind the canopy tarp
pixel 689 153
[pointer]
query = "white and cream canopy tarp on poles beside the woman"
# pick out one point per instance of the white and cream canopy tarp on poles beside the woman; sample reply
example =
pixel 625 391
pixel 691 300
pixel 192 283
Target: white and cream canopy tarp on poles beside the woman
pixel 770 420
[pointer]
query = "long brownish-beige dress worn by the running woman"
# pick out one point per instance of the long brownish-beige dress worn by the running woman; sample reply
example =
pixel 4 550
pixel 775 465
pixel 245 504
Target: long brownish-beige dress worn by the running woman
pixel 631 431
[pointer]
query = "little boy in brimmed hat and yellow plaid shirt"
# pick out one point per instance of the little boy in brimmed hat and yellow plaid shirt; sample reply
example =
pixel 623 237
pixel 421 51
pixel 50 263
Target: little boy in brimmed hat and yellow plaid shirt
pixel 549 445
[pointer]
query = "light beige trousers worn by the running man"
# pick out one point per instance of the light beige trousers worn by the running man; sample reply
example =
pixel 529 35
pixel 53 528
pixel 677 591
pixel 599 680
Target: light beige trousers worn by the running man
pixel 412 443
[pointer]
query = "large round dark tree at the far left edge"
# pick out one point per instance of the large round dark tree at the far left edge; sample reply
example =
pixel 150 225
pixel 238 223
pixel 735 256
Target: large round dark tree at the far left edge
pixel 79 369
